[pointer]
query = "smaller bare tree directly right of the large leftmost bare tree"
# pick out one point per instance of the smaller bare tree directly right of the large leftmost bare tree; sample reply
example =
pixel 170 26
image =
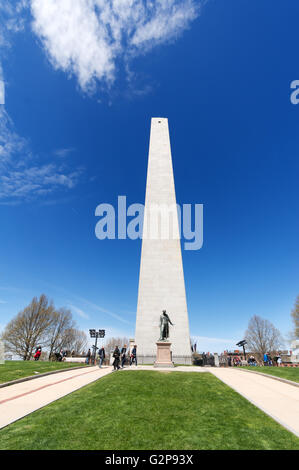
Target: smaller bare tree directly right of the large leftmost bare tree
pixel 59 330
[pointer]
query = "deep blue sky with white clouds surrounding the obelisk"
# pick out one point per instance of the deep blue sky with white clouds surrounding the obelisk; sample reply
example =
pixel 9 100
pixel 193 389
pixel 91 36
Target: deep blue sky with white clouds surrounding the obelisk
pixel 81 85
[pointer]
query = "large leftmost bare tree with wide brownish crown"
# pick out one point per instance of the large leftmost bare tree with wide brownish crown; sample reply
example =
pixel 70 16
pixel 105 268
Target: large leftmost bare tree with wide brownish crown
pixel 29 328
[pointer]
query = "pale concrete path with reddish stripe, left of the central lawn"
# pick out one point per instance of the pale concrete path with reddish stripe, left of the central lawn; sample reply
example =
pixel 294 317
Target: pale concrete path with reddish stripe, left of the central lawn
pixel 19 400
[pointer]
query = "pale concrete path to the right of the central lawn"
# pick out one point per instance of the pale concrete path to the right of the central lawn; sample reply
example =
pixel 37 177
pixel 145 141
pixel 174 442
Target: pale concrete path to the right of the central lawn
pixel 278 399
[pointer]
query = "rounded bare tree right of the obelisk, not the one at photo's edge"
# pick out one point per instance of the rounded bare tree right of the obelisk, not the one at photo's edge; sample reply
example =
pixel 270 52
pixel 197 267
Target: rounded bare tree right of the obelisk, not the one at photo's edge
pixel 262 336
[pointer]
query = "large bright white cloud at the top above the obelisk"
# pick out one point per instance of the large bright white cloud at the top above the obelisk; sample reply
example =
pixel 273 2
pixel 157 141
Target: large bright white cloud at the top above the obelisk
pixel 85 38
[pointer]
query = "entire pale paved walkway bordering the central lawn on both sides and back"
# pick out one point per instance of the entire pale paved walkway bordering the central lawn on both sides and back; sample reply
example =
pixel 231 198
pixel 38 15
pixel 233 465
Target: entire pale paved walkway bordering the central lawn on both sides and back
pixel 277 399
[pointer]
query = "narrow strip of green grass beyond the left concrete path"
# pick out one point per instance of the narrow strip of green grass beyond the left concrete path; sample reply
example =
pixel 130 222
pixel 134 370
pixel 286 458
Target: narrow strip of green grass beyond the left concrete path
pixel 13 370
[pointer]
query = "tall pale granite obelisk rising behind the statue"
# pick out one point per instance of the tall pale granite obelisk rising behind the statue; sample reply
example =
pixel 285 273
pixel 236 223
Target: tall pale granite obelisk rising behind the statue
pixel 161 279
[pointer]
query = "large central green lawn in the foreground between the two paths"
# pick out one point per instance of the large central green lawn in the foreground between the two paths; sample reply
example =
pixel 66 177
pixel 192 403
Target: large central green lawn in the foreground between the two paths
pixel 149 410
